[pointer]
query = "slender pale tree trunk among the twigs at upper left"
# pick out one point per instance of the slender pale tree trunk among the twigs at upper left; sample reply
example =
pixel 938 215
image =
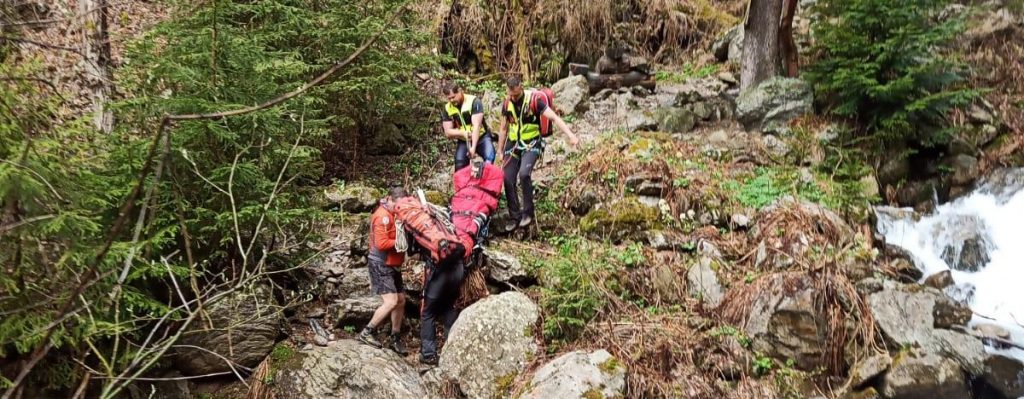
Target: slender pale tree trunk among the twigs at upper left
pixel 97 47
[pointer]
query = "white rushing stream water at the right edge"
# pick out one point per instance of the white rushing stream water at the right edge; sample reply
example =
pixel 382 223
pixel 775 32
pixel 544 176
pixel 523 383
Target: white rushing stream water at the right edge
pixel 993 215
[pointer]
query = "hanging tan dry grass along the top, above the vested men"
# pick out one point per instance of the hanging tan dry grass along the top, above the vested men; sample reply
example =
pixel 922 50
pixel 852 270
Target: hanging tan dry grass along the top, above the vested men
pixel 525 36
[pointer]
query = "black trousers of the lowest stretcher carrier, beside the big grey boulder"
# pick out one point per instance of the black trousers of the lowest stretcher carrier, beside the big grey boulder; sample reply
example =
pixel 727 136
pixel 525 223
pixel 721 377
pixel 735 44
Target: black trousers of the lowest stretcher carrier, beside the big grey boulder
pixel 440 296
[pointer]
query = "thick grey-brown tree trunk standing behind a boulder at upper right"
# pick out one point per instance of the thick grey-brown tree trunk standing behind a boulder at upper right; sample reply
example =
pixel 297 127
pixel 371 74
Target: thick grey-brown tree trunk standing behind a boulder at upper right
pixel 762 51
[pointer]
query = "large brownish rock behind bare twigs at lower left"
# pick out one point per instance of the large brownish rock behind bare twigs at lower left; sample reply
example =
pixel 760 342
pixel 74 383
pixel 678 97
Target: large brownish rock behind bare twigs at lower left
pixel 244 328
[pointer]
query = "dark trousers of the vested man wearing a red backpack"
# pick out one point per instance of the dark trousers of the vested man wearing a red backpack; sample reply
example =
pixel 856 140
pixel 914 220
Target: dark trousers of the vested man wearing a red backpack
pixel 520 169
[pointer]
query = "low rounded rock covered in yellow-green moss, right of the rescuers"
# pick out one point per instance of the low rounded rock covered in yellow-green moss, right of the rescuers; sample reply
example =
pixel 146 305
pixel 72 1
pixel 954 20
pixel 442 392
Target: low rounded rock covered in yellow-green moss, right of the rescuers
pixel 621 220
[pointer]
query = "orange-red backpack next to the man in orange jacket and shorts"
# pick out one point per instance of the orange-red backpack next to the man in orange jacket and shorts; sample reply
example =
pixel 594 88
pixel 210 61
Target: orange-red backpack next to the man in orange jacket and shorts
pixel 431 233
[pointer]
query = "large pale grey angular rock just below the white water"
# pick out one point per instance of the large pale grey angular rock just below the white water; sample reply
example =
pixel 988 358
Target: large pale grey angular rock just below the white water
pixel 914 316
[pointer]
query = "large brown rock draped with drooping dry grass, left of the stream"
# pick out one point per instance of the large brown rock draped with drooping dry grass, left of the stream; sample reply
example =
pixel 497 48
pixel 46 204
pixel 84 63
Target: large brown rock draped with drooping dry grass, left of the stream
pixel 786 324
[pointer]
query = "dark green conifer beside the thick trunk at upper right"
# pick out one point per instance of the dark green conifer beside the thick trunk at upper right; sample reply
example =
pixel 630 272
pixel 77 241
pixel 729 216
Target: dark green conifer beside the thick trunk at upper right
pixel 888 73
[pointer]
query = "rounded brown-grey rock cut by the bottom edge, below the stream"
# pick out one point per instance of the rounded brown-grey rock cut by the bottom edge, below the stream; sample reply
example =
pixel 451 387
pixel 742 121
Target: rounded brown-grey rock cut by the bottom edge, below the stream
pixel 924 376
